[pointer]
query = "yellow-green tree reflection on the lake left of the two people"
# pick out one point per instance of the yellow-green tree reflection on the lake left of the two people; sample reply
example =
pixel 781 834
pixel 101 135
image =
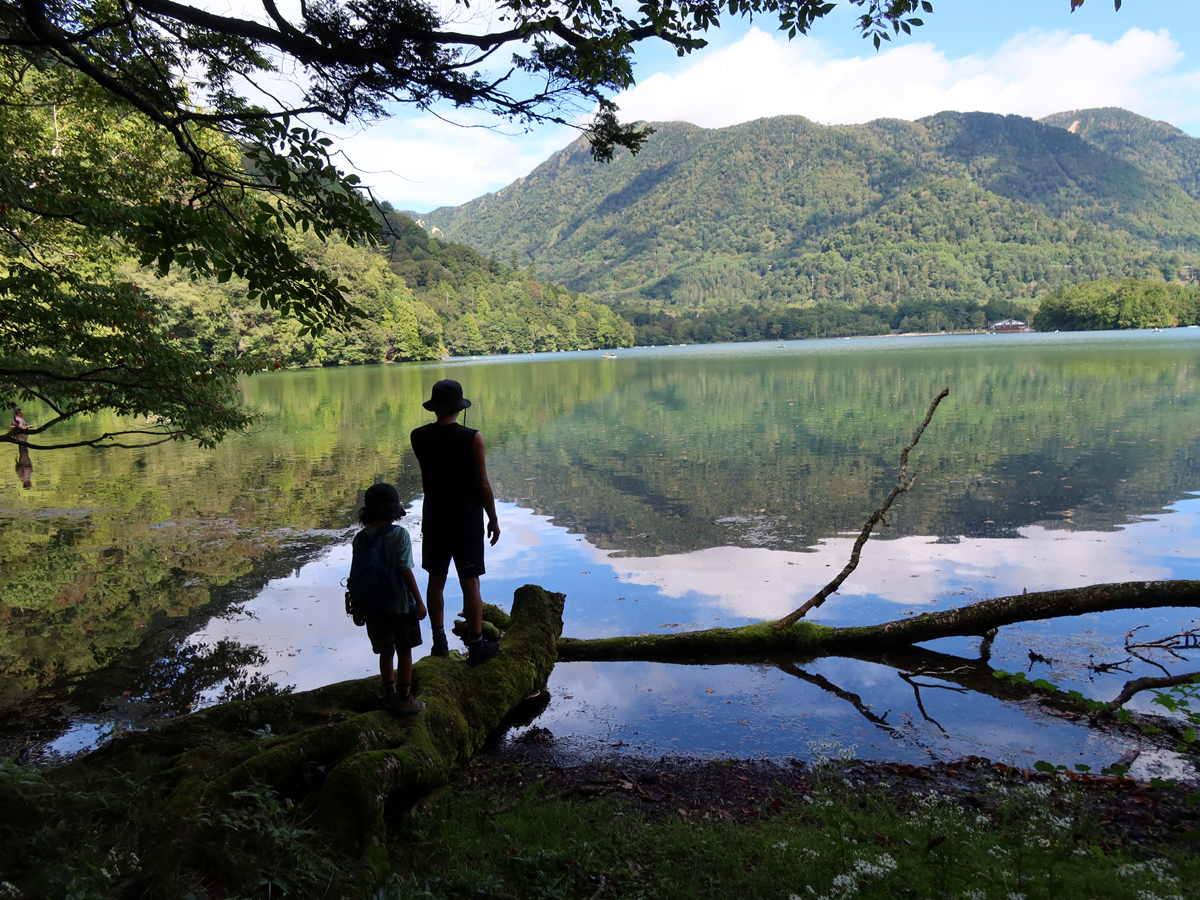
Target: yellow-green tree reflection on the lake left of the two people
pixel 115 547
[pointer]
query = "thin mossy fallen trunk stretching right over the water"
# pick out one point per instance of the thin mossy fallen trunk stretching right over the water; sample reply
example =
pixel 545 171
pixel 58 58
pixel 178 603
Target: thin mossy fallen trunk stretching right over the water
pixel 806 638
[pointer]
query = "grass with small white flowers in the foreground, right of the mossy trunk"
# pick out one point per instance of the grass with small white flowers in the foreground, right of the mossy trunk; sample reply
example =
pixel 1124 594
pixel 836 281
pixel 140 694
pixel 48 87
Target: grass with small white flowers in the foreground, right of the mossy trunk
pixel 838 841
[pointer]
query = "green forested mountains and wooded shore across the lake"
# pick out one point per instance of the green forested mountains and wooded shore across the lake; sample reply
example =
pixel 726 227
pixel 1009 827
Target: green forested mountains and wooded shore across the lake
pixel 427 297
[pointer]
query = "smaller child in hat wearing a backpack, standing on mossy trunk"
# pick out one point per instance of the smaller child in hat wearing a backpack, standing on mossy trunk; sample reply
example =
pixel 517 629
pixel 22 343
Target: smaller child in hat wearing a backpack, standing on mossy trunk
pixel 385 593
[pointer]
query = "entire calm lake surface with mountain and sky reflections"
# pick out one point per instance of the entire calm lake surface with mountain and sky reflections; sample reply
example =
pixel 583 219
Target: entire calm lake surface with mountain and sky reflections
pixel 665 490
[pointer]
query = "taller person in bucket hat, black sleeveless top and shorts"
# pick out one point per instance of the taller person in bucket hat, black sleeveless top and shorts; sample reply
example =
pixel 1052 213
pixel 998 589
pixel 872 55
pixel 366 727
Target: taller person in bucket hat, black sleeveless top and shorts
pixel 454 476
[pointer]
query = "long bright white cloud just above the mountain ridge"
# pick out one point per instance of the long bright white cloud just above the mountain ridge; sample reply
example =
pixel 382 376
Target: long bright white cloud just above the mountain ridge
pixel 1035 74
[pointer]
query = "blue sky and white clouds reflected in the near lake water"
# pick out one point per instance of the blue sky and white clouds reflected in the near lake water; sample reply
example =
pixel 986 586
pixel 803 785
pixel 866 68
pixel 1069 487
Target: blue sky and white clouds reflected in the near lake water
pixel 941 701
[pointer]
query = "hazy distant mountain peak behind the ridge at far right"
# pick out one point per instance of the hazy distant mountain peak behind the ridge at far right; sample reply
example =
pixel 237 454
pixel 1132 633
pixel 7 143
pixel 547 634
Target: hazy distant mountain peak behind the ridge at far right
pixel 1157 148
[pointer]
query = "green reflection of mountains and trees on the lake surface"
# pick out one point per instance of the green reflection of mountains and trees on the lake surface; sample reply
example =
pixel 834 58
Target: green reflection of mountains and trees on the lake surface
pixel 651 454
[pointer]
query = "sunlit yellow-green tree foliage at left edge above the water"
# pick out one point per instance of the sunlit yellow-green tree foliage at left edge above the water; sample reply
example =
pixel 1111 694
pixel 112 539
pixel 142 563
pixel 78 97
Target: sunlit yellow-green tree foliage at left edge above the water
pixel 85 185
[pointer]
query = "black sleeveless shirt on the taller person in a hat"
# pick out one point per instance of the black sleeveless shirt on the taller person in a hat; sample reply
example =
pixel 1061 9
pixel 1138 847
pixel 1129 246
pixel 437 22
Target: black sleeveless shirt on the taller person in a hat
pixel 448 477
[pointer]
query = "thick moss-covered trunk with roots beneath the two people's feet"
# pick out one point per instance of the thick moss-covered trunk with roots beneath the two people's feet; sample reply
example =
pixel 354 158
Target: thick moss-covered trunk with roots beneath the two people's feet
pixel 338 747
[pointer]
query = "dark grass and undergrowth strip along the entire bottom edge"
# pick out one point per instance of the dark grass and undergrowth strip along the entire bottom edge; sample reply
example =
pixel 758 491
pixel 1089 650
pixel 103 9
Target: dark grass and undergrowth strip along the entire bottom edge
pixel 513 833
